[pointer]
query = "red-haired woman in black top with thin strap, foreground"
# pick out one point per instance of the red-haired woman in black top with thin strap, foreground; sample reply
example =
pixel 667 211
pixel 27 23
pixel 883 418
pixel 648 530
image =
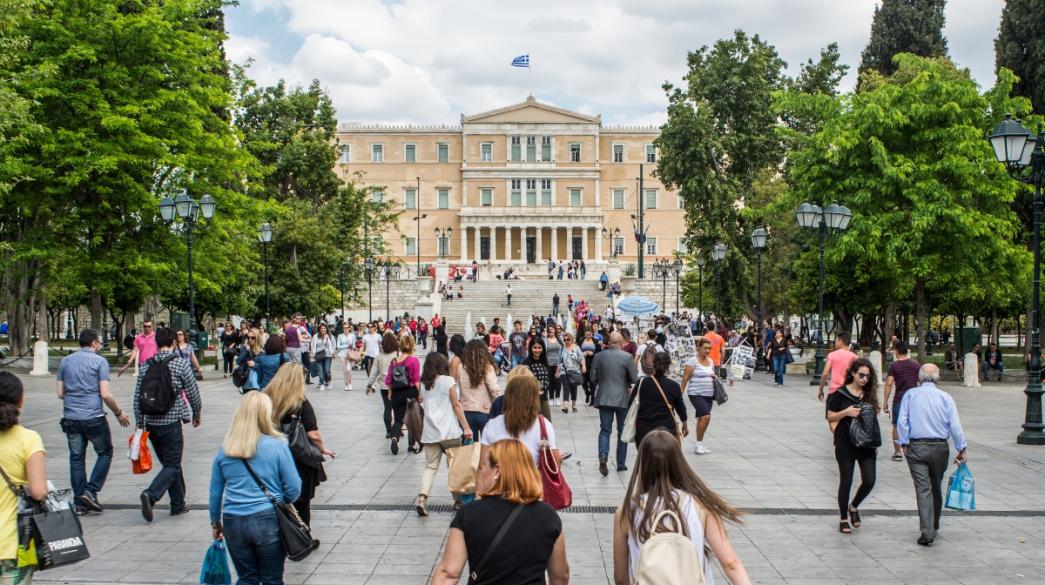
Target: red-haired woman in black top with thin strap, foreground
pixel 510 492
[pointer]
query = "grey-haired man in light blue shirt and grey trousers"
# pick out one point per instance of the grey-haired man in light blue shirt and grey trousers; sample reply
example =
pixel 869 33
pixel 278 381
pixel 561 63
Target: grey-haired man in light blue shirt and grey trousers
pixel 927 418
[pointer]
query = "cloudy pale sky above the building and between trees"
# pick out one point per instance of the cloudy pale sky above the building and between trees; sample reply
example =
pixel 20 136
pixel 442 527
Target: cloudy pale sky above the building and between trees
pixel 429 61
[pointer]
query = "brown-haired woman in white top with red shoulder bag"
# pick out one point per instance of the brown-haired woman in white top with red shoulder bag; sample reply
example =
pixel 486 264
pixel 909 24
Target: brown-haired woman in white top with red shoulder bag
pixel 522 418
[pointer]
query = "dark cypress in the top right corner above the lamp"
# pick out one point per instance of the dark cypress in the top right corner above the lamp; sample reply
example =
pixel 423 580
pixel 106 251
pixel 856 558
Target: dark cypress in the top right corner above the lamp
pixel 1020 48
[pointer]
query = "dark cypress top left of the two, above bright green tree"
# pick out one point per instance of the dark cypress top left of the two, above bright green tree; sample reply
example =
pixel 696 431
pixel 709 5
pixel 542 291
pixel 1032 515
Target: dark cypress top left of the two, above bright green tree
pixel 904 27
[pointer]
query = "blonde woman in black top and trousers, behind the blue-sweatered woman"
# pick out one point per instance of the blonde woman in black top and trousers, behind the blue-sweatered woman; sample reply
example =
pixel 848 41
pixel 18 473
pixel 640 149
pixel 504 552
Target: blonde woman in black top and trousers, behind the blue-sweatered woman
pixel 290 406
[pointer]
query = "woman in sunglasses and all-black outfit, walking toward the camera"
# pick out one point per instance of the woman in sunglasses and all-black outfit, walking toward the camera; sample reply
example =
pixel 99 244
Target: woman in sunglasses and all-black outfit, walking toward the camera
pixel 844 406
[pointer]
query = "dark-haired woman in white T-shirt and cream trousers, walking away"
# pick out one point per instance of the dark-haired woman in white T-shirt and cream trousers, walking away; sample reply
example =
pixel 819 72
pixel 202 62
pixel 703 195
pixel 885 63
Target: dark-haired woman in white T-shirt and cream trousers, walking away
pixel 445 423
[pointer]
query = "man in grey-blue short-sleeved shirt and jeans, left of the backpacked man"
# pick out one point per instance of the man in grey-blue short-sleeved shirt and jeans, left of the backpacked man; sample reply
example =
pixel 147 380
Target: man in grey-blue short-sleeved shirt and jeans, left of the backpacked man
pixel 83 385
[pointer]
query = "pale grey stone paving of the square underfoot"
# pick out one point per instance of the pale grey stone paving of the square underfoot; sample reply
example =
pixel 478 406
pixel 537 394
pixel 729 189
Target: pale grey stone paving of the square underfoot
pixel 772 456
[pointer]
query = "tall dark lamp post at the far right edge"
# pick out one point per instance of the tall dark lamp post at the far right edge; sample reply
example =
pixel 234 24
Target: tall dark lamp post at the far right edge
pixel 1025 158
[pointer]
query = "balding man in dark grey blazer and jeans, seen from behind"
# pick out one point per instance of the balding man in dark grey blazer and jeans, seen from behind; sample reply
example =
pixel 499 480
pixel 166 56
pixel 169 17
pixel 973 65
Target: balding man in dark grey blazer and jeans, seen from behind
pixel 613 373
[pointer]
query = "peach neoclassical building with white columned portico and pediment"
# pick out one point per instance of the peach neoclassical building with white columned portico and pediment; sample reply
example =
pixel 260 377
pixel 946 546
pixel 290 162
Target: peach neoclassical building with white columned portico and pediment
pixel 517 186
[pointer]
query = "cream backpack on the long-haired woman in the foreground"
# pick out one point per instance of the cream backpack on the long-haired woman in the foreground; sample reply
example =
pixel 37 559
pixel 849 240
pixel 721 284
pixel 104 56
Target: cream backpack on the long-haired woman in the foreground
pixel 668 558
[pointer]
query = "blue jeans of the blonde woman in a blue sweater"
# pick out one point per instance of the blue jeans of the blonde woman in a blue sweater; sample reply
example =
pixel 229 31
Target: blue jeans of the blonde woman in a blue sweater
pixel 256 548
